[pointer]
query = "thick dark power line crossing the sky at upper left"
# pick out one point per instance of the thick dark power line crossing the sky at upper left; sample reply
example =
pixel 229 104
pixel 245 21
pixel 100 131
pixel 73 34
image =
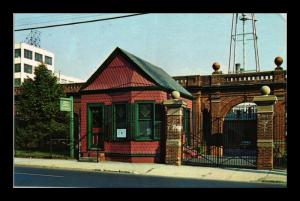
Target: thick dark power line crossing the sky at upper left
pixel 82 22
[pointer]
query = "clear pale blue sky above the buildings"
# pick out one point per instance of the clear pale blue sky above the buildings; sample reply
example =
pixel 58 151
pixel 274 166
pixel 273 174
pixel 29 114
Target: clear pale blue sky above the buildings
pixel 181 44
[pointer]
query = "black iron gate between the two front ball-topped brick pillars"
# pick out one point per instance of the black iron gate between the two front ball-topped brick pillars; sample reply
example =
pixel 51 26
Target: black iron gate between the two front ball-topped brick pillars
pixel 234 146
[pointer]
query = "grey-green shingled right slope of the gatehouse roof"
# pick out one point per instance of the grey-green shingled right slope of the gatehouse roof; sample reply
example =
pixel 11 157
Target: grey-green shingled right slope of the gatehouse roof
pixel 157 74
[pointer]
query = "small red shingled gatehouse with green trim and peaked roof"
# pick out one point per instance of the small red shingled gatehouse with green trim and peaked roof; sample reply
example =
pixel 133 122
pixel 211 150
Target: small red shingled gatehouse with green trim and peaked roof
pixel 122 115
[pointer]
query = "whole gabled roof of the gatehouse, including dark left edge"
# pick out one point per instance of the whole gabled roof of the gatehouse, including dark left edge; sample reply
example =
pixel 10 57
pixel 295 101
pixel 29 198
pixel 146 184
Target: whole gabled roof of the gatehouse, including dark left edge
pixel 159 76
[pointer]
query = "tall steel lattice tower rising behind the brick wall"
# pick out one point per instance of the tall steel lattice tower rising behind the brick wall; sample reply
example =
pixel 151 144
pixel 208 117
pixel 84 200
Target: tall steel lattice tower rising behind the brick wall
pixel 239 34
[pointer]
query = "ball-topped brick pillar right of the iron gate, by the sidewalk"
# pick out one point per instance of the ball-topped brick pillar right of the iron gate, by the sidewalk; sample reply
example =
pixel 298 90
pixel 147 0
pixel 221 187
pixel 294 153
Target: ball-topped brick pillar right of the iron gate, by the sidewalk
pixel 265 110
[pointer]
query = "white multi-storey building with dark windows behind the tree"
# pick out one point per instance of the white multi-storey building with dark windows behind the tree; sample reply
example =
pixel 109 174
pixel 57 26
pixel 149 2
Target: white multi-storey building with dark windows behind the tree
pixel 27 58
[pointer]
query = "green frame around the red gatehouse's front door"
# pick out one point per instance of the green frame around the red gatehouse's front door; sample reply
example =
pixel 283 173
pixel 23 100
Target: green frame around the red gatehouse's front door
pixel 89 126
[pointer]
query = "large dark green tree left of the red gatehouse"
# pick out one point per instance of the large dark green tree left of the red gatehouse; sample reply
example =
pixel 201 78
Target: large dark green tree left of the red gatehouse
pixel 38 110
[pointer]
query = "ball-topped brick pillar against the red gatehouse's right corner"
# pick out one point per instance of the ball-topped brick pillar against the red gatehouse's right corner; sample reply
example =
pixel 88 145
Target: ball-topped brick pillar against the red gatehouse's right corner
pixel 174 129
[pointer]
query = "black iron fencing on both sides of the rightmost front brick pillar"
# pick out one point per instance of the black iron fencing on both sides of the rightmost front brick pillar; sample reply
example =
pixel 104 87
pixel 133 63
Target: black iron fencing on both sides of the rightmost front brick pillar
pixel 236 143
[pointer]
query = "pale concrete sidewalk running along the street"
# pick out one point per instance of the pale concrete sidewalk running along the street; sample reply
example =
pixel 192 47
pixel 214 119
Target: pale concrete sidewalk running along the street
pixel 195 172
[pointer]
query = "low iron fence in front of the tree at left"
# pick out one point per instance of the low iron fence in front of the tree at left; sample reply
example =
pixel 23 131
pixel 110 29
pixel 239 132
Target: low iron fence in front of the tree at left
pixel 43 137
